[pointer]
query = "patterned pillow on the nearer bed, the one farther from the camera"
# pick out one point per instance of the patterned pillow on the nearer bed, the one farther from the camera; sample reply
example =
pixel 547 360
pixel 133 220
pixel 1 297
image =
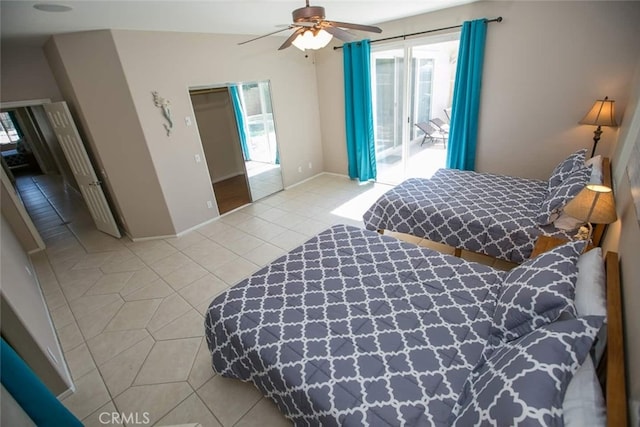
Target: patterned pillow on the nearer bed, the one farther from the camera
pixel 536 292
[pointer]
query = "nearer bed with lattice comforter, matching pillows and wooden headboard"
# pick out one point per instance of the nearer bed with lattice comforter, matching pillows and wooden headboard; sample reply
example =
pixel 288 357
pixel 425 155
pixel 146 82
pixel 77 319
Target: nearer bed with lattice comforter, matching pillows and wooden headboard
pixel 356 328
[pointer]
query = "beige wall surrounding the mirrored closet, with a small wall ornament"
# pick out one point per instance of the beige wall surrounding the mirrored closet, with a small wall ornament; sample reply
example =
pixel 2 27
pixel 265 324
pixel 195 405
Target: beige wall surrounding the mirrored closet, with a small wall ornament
pixel 108 76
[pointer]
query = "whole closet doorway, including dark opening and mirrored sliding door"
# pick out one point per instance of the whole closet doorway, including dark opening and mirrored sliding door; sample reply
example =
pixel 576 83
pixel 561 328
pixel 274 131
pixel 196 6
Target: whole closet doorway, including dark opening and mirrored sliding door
pixel 238 135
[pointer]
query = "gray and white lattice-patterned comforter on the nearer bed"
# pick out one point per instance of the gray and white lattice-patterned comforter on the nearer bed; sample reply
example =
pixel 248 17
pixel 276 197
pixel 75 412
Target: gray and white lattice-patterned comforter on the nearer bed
pixel 353 328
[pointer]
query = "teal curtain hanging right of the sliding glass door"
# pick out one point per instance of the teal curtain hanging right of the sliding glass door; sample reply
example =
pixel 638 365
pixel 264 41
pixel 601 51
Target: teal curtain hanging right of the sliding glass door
pixel 463 132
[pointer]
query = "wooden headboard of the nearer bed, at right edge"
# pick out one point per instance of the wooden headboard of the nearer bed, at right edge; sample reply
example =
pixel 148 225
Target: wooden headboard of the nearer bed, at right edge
pixel 612 365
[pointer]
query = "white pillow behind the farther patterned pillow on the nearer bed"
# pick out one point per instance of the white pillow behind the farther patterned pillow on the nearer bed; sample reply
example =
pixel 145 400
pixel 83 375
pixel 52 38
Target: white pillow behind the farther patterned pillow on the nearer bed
pixel 591 298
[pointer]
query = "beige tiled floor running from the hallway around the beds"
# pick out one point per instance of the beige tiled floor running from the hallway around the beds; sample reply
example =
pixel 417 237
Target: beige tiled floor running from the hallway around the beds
pixel 129 315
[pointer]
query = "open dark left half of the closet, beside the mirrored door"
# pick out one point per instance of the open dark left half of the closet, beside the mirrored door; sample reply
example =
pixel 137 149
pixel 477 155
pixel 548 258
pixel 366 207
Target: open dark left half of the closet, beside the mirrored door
pixel 216 123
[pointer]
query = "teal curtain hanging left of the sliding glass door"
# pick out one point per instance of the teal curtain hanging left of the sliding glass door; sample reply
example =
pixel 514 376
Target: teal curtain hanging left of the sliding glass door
pixel 361 150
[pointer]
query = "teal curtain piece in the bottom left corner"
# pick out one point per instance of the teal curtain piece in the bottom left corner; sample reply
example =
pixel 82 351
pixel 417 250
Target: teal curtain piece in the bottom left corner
pixel 31 394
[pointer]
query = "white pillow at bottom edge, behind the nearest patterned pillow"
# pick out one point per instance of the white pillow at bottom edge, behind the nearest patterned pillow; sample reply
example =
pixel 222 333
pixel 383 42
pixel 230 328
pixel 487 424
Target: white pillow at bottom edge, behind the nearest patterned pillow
pixel 583 403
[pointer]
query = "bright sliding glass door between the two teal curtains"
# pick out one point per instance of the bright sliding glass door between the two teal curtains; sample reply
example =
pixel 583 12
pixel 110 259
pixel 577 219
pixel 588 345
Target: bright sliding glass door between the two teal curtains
pixel 412 83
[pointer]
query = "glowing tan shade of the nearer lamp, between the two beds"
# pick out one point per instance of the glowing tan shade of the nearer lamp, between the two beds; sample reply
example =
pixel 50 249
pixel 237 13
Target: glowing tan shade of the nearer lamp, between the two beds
pixel 593 204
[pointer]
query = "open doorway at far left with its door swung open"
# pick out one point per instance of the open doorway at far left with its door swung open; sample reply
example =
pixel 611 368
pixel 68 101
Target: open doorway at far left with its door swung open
pixel 63 165
